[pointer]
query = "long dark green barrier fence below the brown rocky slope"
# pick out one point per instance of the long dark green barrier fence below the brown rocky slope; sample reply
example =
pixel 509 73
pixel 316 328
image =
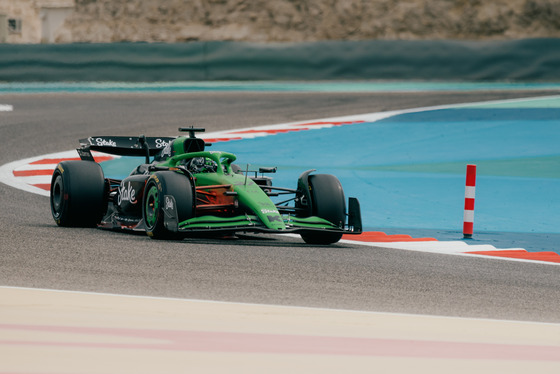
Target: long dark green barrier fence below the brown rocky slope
pixel 515 60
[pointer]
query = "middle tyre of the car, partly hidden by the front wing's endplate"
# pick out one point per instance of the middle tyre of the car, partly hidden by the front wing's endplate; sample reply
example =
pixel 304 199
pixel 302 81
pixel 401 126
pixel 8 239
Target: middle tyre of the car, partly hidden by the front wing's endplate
pixel 161 184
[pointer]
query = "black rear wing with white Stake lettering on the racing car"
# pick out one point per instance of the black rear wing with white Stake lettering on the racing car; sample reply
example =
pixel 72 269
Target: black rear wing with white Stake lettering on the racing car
pixel 125 146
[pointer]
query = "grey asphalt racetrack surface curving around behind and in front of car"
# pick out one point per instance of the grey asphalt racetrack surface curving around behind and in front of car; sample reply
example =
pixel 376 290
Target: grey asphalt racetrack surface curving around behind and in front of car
pixel 255 269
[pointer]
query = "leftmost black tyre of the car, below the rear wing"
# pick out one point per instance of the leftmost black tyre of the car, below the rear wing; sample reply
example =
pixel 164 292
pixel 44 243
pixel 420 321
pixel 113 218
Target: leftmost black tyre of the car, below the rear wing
pixel 77 195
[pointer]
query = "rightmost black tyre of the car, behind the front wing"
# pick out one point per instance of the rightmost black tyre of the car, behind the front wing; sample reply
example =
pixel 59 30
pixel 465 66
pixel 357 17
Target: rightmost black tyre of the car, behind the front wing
pixel 328 202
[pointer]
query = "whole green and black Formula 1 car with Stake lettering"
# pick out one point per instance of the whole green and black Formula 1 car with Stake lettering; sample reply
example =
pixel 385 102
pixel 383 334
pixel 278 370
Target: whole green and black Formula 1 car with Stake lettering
pixel 183 189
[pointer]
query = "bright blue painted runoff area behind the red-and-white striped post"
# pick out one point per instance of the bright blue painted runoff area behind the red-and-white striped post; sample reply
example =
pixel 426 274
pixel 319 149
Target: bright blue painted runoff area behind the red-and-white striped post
pixel 409 172
